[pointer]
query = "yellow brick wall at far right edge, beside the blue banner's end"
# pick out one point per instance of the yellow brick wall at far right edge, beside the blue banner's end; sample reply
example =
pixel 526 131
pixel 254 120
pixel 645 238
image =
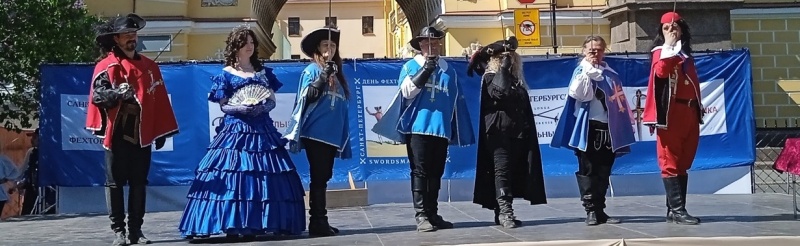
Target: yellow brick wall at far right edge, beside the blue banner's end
pixel 773 38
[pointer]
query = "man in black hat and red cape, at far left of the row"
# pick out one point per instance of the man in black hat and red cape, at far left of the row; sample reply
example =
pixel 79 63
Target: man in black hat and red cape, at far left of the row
pixel 130 110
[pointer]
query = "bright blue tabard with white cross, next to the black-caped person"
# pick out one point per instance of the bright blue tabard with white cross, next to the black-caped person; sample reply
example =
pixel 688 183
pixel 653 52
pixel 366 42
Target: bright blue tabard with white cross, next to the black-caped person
pixel 439 109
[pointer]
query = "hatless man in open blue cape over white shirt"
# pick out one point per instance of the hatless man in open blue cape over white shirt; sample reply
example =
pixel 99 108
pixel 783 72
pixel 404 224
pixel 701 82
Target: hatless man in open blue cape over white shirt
pixel 597 124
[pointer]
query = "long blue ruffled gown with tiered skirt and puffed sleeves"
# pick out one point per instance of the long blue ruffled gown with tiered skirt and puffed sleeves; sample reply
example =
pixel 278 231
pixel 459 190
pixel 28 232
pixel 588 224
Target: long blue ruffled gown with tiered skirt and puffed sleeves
pixel 246 184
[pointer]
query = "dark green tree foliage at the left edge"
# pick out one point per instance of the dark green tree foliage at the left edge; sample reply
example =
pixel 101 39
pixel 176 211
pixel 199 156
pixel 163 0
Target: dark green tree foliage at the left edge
pixel 33 32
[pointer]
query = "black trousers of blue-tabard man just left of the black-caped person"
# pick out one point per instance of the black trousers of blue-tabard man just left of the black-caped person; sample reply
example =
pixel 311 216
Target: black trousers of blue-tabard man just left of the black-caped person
pixel 427 156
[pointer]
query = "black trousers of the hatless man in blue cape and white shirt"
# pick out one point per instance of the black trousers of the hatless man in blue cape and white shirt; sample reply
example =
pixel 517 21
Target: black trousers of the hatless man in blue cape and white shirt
pixel 594 166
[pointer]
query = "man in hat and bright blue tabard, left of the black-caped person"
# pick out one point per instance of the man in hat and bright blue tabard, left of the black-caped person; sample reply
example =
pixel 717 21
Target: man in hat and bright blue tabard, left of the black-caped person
pixel 428 114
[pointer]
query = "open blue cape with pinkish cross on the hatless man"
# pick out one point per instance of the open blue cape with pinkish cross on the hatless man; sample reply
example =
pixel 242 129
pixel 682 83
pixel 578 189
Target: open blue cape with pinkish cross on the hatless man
pixel 572 130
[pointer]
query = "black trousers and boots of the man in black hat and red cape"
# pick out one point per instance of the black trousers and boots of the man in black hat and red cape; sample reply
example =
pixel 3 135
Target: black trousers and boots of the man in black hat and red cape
pixel 126 164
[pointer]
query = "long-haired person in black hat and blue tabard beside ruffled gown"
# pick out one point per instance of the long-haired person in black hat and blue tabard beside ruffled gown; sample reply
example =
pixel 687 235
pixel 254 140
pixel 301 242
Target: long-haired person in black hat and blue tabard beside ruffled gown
pixel 320 122
